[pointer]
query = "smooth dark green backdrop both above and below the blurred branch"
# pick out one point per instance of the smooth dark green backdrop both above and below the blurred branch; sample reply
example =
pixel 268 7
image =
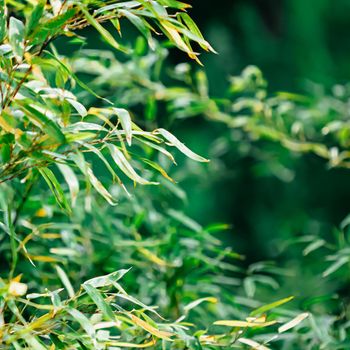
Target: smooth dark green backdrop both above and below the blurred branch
pixel 300 46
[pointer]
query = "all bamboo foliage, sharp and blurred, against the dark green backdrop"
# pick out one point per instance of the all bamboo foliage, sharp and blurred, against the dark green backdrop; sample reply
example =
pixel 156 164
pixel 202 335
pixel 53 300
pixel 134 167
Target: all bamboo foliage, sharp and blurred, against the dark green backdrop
pixel 88 261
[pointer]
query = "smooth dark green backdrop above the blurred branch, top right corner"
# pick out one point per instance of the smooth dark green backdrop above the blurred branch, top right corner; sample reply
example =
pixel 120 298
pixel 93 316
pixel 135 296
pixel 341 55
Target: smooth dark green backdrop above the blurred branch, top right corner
pixel 292 41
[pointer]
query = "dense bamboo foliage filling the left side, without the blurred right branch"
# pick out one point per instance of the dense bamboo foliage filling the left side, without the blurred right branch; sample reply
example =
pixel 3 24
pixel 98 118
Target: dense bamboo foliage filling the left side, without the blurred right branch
pixel 53 142
